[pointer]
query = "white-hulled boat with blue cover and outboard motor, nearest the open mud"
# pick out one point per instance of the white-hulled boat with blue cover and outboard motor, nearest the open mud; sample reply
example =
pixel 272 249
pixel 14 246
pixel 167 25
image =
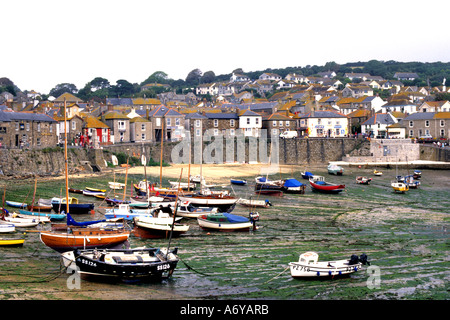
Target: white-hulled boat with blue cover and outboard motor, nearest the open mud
pixel 228 222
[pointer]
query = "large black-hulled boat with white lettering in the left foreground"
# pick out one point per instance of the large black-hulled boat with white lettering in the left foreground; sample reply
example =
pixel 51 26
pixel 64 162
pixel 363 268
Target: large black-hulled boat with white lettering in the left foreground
pixel 143 264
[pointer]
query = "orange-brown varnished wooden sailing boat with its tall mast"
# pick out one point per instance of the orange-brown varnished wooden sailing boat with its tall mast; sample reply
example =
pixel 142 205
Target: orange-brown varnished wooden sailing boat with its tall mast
pixel 78 238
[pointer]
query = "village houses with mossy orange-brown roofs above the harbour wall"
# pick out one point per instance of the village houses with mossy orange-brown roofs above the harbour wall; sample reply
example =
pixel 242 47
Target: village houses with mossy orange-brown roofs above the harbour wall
pixel 312 109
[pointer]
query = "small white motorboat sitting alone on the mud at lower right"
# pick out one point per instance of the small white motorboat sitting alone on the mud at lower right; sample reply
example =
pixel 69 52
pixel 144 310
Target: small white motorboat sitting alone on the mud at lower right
pixel 308 266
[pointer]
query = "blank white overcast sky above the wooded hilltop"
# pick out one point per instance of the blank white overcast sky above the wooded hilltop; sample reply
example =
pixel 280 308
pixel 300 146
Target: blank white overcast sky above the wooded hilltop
pixel 48 42
